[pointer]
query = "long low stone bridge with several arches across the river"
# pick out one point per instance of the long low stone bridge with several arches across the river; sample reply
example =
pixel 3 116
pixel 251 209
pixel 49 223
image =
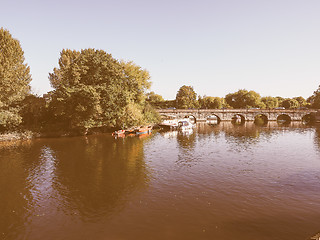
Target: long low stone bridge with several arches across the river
pixel 201 115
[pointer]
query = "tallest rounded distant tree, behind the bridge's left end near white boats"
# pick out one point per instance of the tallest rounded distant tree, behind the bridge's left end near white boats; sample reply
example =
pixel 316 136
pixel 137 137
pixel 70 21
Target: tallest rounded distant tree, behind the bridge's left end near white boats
pixel 186 98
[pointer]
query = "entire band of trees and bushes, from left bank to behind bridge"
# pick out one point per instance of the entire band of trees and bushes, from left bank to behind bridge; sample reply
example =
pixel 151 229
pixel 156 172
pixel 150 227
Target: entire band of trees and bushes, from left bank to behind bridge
pixel 92 91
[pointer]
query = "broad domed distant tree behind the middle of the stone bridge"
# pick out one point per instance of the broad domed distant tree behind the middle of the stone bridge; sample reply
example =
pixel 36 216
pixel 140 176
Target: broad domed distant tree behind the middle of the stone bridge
pixel 244 99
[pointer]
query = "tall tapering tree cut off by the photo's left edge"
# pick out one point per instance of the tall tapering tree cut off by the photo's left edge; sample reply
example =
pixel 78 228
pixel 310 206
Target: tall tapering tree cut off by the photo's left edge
pixel 14 80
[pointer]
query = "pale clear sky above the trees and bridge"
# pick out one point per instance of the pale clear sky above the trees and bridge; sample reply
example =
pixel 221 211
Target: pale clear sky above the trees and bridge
pixel 218 47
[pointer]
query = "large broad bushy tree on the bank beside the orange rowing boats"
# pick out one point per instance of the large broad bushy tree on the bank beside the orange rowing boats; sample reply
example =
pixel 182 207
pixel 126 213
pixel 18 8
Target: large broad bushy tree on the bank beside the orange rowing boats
pixel 93 89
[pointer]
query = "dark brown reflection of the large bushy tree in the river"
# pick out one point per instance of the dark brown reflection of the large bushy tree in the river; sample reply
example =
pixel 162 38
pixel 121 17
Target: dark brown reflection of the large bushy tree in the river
pixel 99 173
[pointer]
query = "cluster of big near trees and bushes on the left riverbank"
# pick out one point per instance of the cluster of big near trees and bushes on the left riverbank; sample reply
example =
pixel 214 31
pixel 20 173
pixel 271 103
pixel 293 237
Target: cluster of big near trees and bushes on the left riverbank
pixel 92 90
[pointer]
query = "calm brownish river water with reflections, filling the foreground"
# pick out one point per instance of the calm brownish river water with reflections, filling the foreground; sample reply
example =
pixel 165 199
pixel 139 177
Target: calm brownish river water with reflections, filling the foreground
pixel 223 182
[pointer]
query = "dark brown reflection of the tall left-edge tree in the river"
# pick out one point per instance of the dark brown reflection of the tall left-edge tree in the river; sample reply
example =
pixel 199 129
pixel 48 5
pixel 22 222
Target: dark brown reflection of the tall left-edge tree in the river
pixel 15 185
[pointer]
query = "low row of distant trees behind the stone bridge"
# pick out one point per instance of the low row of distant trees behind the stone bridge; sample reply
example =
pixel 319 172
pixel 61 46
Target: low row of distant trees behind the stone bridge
pixel 187 98
